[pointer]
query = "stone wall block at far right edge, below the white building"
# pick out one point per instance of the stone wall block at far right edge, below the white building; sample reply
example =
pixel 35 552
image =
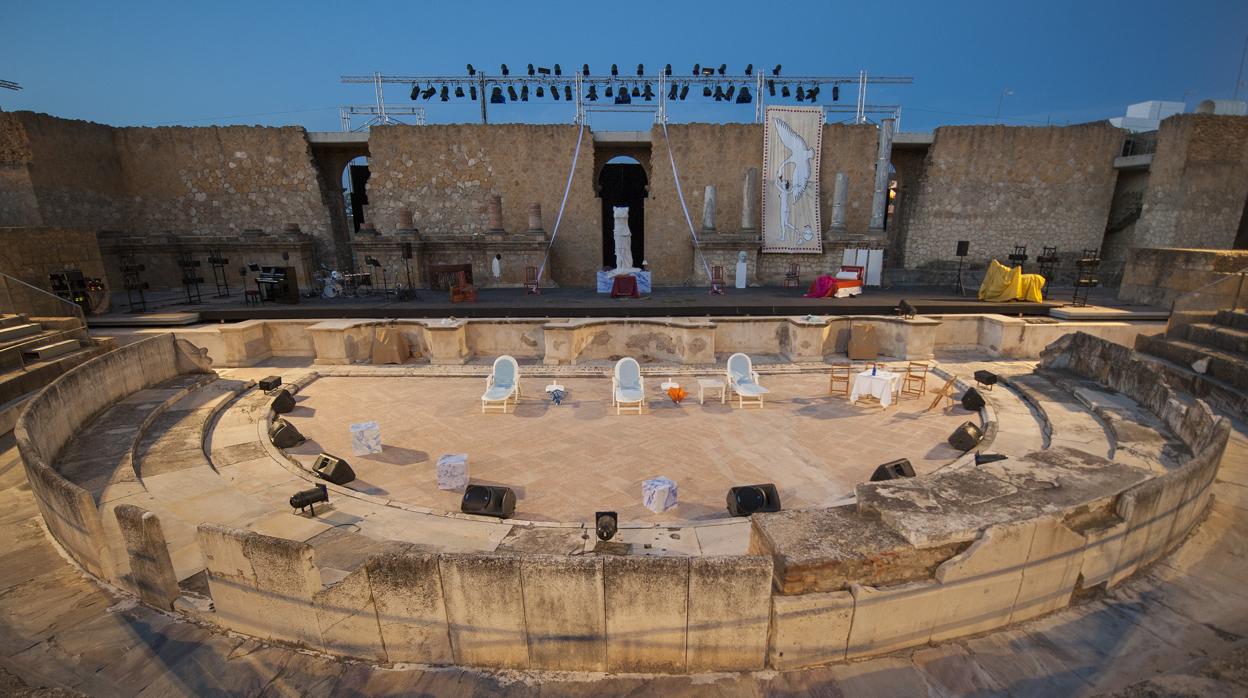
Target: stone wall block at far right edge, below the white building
pixel 1197 184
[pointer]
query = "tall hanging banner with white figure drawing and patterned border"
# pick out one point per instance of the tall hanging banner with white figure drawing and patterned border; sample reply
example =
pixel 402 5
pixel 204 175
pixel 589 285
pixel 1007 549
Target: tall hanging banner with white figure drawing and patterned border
pixel 792 144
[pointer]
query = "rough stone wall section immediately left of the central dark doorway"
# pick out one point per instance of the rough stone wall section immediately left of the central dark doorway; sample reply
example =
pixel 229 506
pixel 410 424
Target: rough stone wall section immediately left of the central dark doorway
pixel 446 175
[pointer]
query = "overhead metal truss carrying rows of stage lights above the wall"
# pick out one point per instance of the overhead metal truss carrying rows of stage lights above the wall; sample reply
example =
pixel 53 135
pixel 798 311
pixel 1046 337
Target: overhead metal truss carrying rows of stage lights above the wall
pixel 586 89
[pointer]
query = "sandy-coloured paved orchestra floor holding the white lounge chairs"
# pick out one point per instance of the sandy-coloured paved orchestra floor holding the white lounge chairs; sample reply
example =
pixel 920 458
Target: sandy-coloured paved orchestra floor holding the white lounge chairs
pixel 566 463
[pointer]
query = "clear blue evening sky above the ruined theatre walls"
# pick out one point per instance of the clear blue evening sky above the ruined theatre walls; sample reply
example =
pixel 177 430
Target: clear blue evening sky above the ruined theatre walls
pixel 138 63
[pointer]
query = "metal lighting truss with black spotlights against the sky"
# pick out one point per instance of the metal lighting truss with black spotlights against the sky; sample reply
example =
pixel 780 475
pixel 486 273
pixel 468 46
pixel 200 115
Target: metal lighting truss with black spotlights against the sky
pixel 762 84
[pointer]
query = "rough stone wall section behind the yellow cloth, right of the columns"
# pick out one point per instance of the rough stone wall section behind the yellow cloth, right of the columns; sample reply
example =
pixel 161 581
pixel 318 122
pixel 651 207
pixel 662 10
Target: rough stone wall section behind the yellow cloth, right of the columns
pixel 1002 187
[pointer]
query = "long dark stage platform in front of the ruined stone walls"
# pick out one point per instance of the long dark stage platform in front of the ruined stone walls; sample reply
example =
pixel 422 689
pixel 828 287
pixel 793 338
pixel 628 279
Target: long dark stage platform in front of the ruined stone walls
pixel 585 303
